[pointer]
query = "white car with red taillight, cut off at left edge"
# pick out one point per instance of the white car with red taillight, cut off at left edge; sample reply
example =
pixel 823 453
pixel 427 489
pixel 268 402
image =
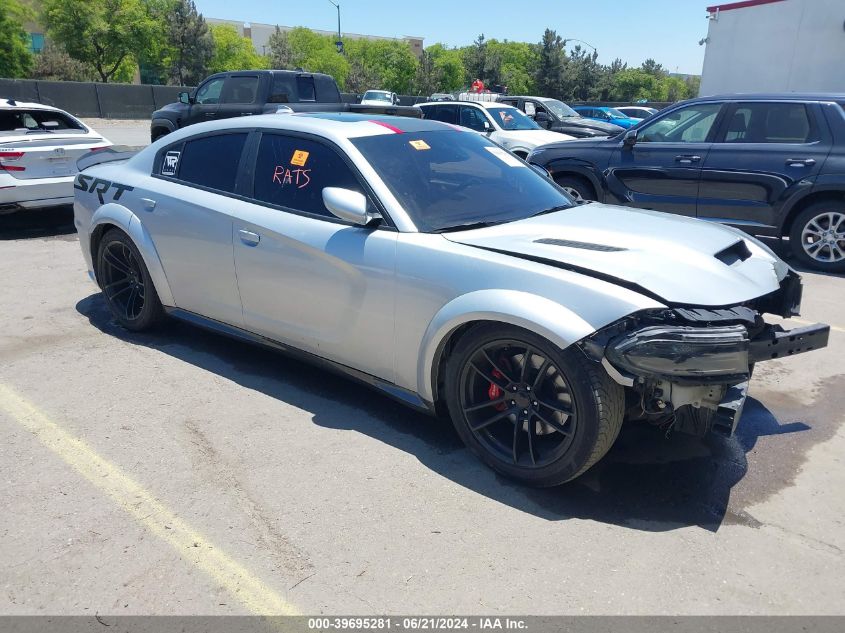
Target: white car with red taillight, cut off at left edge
pixel 39 146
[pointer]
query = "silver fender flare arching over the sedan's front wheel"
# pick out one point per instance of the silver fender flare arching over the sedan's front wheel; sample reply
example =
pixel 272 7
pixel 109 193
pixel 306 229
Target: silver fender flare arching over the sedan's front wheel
pixel 540 315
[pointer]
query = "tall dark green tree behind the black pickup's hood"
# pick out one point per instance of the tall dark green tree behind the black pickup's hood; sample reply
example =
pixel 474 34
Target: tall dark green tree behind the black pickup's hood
pixel 189 44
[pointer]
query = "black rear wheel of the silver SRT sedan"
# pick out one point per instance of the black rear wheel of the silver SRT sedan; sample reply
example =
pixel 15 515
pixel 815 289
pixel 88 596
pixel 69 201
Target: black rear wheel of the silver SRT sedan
pixel 126 283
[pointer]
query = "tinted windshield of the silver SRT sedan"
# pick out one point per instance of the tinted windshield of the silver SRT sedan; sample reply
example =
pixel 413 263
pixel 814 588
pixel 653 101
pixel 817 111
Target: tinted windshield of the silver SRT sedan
pixel 447 179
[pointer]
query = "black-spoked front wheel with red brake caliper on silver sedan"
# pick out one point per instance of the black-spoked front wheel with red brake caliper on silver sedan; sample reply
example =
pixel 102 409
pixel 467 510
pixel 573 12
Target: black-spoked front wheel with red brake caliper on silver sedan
pixel 529 410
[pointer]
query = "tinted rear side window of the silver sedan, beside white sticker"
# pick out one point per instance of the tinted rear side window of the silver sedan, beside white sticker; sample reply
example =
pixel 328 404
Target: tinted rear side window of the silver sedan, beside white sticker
pixel 211 161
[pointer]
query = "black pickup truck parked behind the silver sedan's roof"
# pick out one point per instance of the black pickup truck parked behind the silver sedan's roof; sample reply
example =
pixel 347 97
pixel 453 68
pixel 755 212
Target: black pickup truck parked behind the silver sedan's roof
pixel 243 93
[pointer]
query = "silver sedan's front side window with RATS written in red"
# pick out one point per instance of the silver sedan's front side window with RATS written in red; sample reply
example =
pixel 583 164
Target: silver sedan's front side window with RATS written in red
pixel 291 172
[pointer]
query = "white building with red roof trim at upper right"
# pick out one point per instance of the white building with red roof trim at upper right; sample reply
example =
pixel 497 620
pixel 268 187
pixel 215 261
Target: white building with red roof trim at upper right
pixel 775 46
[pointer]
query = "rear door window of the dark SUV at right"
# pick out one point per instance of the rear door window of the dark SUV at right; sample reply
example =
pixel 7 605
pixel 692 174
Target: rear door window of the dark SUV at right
pixel 770 123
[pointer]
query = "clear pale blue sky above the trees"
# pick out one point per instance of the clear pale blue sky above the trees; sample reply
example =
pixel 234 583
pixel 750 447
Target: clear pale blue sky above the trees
pixel 666 30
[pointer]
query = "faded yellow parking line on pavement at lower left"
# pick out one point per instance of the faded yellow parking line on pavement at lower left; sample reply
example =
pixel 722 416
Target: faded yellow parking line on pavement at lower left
pixel 145 509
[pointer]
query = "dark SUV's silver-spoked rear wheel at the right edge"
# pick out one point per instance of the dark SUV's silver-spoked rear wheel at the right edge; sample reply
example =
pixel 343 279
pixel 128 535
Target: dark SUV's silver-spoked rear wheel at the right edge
pixel 817 237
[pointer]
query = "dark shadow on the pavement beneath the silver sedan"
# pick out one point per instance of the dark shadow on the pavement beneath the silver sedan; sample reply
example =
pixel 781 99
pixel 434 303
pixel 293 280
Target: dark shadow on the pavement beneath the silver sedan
pixel 647 482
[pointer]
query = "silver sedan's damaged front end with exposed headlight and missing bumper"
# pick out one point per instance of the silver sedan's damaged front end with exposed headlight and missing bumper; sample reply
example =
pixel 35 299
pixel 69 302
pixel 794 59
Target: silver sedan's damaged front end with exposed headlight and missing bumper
pixel 688 368
